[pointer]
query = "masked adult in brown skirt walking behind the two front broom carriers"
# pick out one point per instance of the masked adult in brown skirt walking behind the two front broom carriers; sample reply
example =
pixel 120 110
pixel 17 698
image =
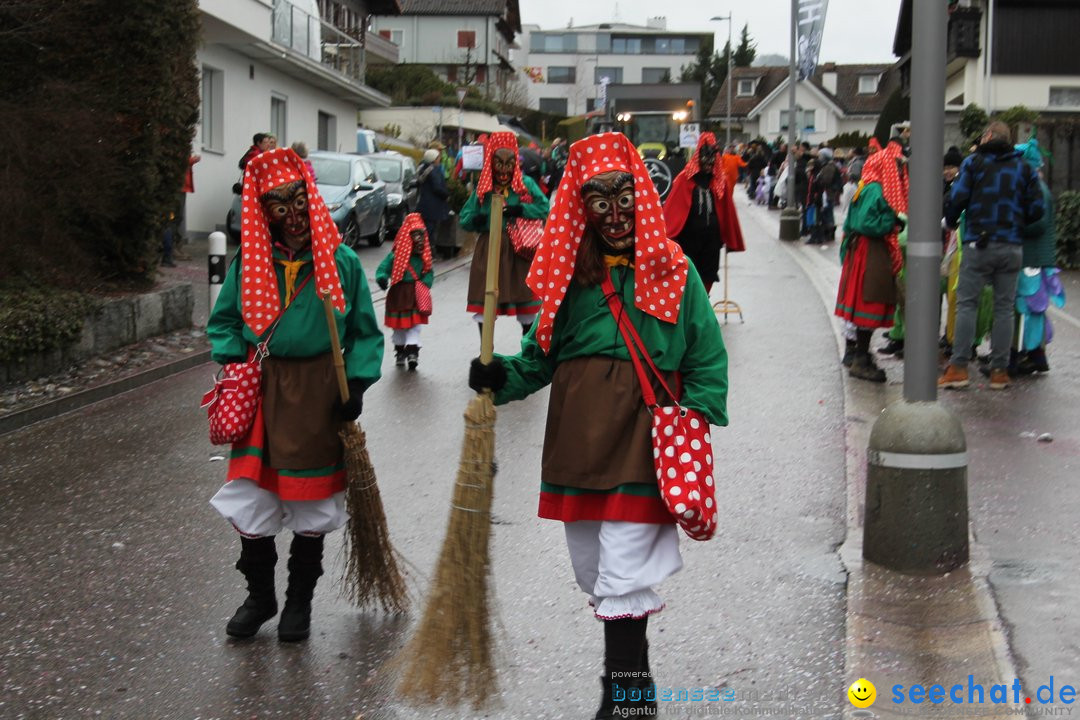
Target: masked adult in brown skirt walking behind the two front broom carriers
pixel 503 174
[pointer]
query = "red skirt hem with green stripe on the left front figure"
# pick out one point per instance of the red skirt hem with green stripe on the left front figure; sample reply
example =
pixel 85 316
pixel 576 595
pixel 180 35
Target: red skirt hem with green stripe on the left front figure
pixel 247 460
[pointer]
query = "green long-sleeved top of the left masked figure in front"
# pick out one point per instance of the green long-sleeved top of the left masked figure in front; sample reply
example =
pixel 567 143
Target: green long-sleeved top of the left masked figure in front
pixel 303 331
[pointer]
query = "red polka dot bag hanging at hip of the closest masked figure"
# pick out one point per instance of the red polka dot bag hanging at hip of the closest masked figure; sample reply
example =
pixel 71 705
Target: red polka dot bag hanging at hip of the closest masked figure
pixel 682 453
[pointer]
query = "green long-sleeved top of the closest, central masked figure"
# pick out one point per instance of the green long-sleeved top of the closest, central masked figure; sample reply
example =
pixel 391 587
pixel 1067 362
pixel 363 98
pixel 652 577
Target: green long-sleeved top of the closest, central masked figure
pixel 585 327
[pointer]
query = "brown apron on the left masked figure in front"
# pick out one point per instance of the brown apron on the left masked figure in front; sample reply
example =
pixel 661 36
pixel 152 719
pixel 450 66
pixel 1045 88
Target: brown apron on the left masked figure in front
pixel 299 397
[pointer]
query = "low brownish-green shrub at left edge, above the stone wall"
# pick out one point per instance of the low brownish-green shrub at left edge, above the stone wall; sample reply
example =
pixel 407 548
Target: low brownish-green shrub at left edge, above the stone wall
pixel 39 320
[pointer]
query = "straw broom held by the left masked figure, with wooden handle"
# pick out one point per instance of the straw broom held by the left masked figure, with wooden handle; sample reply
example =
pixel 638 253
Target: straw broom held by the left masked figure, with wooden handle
pixel 371 569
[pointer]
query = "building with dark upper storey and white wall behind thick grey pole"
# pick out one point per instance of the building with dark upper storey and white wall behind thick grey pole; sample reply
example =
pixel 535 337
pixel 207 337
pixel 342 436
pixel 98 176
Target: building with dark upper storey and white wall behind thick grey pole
pixel 1004 53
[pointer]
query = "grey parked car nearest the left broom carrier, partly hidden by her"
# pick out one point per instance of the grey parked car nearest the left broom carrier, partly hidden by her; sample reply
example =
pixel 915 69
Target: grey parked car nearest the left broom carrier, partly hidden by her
pixel 355 196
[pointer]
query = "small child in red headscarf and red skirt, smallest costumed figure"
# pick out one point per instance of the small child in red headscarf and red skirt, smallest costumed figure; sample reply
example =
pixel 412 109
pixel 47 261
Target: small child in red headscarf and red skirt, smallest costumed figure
pixel 408 264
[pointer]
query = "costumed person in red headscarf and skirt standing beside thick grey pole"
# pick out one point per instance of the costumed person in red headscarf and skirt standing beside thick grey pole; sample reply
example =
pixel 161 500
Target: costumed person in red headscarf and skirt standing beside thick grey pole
pixel 872 257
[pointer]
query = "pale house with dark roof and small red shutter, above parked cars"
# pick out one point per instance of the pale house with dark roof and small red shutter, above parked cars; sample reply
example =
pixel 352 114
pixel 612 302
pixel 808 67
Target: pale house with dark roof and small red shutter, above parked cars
pixel 466 43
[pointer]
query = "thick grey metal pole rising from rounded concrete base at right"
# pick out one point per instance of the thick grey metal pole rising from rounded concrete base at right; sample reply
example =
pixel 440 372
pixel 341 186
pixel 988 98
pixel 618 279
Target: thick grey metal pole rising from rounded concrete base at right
pixel 923 310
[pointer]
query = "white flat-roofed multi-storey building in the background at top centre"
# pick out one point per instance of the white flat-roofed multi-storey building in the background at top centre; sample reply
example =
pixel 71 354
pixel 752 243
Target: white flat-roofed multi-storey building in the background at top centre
pixel 565 67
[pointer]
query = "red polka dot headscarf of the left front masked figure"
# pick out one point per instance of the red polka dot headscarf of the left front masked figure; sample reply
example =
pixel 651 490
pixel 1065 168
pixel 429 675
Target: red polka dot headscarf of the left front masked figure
pixel 259 282
